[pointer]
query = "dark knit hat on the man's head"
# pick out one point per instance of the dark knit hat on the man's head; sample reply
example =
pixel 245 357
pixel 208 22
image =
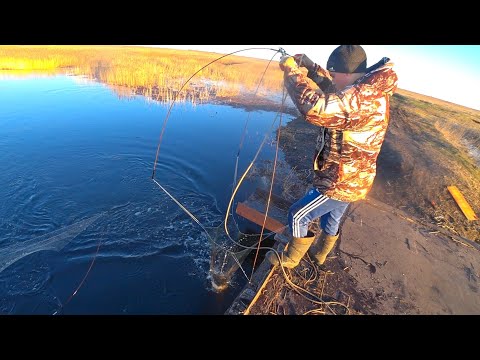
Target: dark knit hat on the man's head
pixel 348 59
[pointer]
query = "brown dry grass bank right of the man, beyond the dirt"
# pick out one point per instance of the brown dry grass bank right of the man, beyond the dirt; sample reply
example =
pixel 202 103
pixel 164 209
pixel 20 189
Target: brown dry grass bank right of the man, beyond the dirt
pixel 431 145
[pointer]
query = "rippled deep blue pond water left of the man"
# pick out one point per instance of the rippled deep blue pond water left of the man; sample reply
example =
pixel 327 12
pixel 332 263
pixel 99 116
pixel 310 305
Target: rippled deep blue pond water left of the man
pixel 71 149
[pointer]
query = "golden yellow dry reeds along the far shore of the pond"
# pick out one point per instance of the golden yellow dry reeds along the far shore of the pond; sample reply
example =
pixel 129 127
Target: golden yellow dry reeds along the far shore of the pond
pixel 157 73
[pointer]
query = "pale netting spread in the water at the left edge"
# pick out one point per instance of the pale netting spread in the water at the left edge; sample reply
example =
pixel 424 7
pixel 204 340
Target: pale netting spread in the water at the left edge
pixel 55 240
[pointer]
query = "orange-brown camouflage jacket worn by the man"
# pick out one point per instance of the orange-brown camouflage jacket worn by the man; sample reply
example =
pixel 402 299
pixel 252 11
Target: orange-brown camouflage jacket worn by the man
pixel 352 122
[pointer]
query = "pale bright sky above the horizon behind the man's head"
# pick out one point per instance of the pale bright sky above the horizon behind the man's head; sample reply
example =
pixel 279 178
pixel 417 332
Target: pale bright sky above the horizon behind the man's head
pixel 447 72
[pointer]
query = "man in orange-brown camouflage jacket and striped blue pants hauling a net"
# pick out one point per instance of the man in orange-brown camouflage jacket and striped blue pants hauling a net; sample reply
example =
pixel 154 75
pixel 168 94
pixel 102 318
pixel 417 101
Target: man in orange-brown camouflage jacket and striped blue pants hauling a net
pixel 351 108
